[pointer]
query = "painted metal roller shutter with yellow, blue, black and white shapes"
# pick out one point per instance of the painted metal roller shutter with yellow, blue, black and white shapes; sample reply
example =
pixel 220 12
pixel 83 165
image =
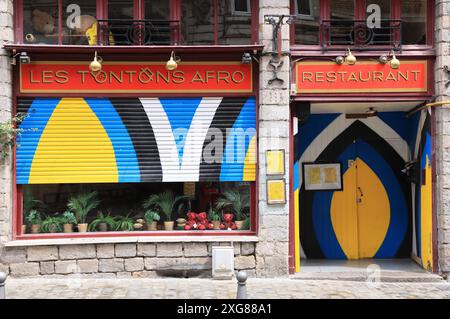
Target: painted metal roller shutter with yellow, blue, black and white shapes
pixel 93 140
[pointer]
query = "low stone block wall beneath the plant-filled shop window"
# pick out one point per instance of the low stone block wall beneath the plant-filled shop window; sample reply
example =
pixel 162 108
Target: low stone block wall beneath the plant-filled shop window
pixel 122 260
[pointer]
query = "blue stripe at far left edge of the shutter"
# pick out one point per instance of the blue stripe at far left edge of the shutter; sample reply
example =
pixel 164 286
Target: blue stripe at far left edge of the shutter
pixel 40 111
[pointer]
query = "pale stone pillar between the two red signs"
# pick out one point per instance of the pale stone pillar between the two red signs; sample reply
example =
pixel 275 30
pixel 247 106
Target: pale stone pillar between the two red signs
pixel 272 248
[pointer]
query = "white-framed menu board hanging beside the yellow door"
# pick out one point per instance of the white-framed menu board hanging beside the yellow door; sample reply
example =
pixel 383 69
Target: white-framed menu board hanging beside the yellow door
pixel 322 176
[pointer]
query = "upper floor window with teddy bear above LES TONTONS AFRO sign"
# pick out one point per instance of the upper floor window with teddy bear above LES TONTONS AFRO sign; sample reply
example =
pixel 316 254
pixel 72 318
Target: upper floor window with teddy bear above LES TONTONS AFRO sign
pixel 136 22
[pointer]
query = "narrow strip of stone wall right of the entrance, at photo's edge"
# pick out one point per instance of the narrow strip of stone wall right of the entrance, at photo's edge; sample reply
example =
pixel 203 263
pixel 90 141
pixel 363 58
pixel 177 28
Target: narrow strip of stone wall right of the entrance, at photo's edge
pixel 442 136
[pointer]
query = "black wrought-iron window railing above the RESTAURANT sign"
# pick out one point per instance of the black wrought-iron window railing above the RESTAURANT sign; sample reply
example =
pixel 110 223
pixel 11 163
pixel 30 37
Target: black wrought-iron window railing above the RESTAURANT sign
pixel 358 34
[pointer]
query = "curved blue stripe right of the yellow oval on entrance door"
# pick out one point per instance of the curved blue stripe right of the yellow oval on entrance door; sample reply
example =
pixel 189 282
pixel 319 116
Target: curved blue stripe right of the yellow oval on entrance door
pixel 398 208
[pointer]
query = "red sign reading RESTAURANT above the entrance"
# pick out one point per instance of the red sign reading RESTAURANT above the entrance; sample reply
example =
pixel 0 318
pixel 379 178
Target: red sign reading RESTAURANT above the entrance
pixel 363 77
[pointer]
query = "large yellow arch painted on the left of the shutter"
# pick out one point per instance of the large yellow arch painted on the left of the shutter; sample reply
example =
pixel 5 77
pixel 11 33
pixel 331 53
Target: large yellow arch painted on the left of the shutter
pixel 74 148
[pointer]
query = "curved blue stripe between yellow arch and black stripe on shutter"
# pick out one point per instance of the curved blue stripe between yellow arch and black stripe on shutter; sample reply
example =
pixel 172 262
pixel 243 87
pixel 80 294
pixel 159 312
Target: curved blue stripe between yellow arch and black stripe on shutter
pixel 126 159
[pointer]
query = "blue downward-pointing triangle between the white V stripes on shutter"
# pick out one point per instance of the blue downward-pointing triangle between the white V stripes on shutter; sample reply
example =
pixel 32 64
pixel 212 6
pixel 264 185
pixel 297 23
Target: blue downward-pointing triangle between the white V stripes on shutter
pixel 180 112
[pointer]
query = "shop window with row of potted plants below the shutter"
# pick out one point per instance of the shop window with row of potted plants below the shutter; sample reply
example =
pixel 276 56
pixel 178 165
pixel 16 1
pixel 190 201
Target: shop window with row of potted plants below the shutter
pixel 136 207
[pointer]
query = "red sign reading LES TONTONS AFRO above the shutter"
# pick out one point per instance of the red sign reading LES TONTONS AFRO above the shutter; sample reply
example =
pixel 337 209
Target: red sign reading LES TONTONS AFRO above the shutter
pixel 136 77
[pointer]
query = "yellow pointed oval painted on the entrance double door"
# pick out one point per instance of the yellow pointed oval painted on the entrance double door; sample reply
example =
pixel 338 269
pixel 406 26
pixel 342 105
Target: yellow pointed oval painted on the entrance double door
pixel 360 213
